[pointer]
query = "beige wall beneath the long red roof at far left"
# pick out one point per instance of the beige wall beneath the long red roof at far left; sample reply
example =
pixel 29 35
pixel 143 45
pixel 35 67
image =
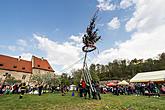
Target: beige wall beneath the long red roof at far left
pixel 17 75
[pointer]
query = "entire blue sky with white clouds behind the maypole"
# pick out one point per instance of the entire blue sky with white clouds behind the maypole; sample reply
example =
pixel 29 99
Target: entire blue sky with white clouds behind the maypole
pixel 53 29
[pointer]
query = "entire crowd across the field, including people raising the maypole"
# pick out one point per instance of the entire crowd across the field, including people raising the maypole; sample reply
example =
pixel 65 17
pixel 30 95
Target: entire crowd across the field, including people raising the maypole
pixel 88 90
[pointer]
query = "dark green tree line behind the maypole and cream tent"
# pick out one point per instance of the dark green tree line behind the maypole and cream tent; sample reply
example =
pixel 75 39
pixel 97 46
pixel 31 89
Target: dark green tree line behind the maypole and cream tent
pixel 123 69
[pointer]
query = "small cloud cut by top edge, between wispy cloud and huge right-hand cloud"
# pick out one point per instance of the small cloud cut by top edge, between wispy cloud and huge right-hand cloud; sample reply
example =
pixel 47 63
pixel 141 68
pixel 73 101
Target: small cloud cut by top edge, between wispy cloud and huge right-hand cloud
pixel 126 3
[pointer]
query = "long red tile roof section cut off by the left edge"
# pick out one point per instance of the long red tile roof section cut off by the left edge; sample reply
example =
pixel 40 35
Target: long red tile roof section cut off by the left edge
pixel 14 64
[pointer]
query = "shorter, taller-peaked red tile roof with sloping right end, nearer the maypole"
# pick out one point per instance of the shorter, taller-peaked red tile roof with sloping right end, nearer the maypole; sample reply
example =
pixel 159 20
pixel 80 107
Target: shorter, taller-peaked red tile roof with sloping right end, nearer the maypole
pixel 41 63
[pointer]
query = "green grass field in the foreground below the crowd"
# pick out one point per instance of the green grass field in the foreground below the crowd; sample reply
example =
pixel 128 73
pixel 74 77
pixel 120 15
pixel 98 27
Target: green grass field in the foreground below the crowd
pixel 58 102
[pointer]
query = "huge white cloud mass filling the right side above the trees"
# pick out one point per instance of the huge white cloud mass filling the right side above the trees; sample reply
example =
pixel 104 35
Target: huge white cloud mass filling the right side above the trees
pixel 148 22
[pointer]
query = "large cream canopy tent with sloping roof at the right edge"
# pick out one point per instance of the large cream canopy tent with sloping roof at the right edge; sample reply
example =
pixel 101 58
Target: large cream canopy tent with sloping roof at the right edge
pixel 156 76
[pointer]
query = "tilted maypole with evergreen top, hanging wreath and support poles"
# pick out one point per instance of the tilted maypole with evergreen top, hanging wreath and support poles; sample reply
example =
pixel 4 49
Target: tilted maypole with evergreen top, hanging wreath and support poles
pixel 89 39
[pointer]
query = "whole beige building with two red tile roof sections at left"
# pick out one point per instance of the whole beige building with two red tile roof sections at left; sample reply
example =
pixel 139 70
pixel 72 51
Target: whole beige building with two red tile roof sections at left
pixel 22 69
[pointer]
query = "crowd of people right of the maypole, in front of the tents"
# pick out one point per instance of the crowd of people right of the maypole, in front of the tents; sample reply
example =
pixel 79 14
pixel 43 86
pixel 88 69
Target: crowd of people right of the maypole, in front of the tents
pixel 145 89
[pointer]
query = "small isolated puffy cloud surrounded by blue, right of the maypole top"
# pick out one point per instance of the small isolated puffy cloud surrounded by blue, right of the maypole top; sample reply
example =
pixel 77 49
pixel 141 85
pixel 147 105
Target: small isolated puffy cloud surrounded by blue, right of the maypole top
pixel 114 24
